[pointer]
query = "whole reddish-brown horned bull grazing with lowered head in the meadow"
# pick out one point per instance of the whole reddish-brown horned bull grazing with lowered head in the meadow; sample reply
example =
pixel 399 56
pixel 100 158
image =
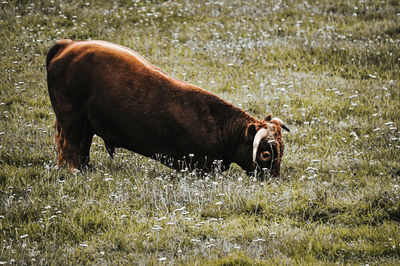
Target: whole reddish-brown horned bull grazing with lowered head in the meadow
pixel 101 88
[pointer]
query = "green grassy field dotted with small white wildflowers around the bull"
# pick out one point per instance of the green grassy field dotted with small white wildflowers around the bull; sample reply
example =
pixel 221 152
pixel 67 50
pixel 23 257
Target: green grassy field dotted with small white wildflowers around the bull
pixel 330 71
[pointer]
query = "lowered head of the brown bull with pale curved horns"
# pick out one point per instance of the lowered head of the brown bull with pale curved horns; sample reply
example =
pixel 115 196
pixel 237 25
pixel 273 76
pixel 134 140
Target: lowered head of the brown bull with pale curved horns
pixel 267 149
